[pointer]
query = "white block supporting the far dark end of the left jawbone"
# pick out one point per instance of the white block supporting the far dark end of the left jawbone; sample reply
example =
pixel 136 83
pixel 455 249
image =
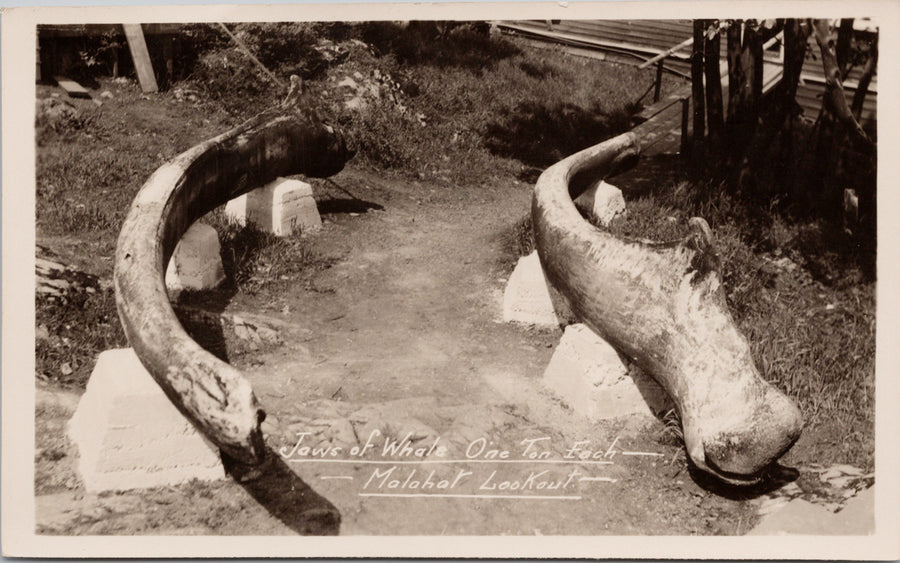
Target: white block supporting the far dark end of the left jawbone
pixel 281 207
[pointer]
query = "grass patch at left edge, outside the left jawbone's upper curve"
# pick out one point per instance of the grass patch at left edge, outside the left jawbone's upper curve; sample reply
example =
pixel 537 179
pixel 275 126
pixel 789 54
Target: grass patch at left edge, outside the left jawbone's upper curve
pixel 87 176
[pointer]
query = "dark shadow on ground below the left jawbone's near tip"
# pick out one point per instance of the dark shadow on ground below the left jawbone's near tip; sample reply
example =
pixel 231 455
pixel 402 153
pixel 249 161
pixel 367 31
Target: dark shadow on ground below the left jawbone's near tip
pixel 286 496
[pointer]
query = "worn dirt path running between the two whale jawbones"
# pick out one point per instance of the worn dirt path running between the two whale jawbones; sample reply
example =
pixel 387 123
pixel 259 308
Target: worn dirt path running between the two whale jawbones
pixel 403 336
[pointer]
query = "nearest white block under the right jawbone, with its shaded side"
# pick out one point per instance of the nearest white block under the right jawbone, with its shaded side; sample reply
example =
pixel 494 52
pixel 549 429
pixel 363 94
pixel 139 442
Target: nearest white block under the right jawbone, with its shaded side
pixel 586 373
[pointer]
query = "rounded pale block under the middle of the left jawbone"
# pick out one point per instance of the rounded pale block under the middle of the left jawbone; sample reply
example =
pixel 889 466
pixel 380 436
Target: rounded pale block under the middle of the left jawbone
pixel 196 263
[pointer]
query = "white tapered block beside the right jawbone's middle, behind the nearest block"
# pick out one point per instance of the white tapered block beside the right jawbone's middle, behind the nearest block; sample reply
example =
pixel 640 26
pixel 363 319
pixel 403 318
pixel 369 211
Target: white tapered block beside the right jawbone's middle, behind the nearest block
pixel 527 296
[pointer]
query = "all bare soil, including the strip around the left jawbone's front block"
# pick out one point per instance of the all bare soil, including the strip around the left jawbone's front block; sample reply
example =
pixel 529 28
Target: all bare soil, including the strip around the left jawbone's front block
pixel 402 337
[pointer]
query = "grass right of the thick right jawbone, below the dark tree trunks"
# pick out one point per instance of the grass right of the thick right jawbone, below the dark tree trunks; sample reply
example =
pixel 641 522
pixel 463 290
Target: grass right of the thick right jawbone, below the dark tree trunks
pixel 805 304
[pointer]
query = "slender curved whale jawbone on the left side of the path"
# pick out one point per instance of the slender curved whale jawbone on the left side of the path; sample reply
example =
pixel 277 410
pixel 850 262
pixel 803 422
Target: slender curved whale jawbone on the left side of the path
pixel 214 396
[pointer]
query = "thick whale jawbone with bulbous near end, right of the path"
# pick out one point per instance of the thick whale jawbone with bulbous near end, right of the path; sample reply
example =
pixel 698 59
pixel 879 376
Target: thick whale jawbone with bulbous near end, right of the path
pixel 664 305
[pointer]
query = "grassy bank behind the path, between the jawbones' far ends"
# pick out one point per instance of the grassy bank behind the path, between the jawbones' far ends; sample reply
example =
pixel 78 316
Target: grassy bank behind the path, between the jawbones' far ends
pixel 467 124
